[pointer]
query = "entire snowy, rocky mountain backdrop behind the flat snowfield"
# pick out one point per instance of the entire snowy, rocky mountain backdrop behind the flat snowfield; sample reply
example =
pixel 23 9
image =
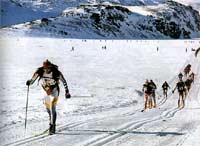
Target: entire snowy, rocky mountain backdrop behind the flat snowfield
pixel 129 19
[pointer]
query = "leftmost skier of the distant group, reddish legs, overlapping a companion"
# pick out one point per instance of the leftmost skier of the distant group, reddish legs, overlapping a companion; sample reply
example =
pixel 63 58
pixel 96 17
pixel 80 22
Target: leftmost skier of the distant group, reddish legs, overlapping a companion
pixel 147 89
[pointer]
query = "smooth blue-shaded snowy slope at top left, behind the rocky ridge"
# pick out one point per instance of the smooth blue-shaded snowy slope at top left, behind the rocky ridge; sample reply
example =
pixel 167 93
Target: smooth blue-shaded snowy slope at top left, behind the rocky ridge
pixel 19 11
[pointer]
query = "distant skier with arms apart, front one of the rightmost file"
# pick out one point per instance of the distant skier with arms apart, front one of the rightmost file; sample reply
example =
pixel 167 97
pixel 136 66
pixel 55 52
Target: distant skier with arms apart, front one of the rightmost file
pixel 181 86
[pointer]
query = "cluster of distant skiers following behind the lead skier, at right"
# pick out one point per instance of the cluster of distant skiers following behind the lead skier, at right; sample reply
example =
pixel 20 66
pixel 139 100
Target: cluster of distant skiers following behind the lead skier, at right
pixel 183 87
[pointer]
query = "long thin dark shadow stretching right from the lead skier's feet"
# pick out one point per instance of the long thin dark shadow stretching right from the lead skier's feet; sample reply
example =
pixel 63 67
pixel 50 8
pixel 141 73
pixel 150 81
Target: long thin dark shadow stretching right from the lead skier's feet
pixel 122 132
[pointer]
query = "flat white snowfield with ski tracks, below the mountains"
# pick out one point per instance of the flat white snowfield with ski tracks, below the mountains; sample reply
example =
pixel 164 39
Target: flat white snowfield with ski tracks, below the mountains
pixel 106 92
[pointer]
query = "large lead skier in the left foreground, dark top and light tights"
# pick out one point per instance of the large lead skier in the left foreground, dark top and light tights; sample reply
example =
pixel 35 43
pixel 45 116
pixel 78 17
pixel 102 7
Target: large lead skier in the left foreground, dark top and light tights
pixel 50 76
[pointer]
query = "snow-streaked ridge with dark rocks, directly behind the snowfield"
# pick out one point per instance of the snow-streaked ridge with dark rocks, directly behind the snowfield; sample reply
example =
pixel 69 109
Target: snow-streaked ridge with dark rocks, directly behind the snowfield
pixel 167 20
